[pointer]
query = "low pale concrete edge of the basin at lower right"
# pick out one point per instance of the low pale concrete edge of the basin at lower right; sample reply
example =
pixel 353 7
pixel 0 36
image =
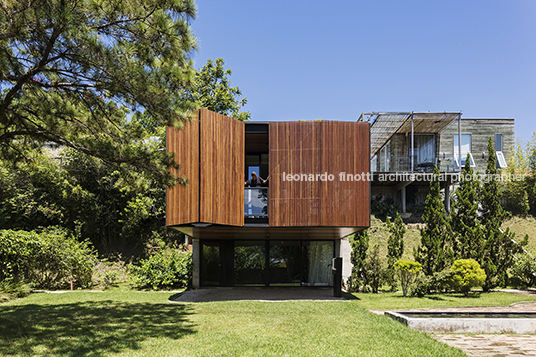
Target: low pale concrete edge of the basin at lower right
pixel 492 324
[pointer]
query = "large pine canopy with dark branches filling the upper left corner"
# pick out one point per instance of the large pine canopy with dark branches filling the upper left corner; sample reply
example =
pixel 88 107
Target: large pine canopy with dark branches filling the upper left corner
pixel 73 72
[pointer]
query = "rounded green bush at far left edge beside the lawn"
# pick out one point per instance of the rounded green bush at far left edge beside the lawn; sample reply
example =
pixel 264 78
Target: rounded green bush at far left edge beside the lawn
pixel 46 259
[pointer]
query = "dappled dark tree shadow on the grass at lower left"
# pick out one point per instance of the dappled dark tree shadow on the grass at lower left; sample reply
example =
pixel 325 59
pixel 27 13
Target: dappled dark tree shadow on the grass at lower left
pixel 88 328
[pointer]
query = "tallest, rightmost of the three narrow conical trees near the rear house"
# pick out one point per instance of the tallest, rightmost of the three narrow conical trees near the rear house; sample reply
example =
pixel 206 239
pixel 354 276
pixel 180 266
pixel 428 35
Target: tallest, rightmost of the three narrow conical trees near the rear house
pixel 500 246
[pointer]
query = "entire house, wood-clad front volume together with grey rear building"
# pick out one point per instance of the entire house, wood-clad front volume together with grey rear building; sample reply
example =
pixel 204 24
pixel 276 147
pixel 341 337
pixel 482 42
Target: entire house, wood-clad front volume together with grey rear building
pixel 320 178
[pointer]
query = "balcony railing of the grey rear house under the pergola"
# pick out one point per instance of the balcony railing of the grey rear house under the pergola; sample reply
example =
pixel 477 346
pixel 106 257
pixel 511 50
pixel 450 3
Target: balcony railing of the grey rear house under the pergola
pixel 402 163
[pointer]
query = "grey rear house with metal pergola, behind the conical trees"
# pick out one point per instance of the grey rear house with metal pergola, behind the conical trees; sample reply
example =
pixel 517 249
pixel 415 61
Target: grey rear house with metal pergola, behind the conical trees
pixel 406 146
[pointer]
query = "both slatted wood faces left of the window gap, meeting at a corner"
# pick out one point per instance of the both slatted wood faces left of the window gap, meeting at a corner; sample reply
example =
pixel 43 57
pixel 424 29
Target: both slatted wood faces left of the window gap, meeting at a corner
pixel 210 151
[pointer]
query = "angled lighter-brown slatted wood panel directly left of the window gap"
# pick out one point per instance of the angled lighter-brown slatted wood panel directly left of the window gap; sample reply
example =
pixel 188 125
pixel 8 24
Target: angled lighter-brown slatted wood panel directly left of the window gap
pixel 221 169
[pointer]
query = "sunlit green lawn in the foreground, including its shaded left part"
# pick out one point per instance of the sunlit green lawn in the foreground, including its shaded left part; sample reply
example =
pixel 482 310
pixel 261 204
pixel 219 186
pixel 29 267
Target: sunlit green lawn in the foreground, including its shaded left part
pixel 145 324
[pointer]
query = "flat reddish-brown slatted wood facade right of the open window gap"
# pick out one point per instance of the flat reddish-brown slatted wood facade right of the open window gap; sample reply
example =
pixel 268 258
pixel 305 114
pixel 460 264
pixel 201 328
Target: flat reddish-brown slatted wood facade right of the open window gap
pixel 319 148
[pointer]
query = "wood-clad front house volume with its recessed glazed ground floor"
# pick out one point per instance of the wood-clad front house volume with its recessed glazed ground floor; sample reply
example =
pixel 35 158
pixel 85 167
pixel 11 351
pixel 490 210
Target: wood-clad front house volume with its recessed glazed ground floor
pixel 286 232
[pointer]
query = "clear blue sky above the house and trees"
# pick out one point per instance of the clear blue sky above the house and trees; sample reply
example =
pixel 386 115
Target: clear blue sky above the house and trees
pixel 337 59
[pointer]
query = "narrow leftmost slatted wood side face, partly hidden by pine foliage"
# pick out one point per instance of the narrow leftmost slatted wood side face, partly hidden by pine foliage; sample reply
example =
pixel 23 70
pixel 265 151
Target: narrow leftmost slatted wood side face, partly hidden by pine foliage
pixel 182 202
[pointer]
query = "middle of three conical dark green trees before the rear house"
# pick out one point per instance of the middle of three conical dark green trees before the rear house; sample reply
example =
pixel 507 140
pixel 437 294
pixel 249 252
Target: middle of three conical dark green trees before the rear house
pixel 468 232
